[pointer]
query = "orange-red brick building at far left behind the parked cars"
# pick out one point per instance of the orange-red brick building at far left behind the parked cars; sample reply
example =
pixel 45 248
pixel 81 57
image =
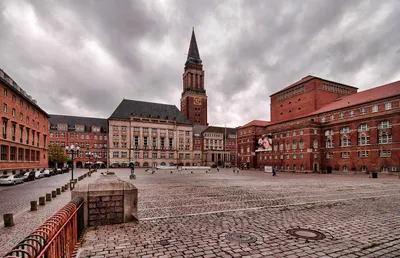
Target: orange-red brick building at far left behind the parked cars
pixel 23 145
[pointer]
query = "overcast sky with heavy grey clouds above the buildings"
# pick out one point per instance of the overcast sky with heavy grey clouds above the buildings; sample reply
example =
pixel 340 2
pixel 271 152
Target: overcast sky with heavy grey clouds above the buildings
pixel 83 57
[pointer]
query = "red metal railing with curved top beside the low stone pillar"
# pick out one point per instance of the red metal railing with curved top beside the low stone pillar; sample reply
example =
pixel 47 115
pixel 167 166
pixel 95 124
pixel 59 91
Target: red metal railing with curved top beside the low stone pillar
pixel 55 238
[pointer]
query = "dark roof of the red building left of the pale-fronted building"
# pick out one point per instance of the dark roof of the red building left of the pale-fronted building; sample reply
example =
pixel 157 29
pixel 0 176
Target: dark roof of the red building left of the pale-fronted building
pixel 88 122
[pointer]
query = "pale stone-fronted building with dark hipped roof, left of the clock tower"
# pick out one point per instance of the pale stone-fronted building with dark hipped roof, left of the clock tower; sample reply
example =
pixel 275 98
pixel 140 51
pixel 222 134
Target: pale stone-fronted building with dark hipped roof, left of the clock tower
pixel 150 134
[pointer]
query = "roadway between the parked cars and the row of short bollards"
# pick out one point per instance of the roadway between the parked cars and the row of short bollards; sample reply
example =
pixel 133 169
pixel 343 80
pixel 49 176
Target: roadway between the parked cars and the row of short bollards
pixel 16 199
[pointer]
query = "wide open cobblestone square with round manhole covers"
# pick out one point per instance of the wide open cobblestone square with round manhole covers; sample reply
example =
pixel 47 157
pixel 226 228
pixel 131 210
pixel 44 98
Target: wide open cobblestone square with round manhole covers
pixel 222 214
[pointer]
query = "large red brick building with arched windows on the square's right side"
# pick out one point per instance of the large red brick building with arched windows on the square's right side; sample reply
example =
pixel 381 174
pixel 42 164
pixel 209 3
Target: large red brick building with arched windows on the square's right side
pixel 356 132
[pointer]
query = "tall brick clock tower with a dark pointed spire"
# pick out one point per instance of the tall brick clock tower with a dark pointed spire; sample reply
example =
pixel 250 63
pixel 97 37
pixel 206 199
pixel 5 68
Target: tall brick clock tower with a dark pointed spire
pixel 194 97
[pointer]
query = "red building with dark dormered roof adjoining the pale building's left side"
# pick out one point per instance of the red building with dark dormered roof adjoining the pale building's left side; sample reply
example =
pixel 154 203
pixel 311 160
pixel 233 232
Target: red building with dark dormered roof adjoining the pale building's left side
pixel 89 133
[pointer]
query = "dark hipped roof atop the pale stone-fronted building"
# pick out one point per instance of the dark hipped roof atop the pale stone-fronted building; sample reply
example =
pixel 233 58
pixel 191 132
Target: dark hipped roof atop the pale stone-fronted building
pixel 128 107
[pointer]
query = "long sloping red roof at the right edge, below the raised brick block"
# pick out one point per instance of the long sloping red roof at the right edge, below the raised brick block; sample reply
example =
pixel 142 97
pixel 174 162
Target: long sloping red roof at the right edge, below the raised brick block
pixel 377 93
